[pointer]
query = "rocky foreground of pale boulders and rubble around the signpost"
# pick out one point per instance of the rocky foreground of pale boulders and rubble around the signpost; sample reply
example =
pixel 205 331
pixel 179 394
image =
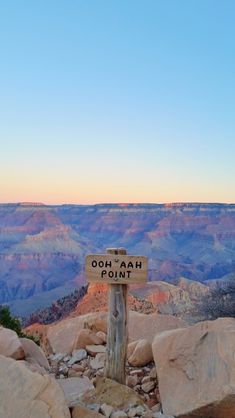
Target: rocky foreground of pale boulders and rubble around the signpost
pixel 173 370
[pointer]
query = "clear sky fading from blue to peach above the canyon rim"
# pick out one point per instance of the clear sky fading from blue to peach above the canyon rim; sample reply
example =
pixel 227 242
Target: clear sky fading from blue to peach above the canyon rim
pixel 117 101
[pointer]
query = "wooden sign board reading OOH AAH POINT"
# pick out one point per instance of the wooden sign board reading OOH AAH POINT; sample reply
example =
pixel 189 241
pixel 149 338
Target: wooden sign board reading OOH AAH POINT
pixel 121 269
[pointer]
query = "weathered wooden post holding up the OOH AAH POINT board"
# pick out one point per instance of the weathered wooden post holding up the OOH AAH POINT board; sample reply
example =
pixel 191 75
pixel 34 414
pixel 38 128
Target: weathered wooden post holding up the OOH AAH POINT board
pixel 117 337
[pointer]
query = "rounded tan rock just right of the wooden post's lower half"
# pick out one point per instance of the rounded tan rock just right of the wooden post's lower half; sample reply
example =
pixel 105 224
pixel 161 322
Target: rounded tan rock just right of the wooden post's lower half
pixel 139 353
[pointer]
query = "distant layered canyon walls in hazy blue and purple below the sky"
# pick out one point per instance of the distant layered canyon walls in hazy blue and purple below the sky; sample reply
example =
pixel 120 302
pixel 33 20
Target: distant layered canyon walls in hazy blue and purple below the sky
pixel 42 248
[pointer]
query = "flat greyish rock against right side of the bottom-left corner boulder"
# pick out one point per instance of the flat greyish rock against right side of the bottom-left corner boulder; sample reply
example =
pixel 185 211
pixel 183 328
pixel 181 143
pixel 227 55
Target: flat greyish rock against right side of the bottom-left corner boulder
pixel 74 388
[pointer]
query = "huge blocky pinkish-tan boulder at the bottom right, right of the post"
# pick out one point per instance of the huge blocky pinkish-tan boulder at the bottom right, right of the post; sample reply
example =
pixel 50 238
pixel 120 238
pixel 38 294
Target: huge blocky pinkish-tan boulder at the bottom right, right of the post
pixel 196 369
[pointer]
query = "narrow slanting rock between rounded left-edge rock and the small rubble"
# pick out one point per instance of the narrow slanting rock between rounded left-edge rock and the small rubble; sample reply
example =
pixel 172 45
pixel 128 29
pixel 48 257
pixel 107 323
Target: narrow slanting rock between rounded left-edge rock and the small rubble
pixel 34 353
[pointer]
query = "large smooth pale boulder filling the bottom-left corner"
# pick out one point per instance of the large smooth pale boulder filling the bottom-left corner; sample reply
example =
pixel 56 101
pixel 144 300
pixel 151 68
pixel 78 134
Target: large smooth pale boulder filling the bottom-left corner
pixel 24 394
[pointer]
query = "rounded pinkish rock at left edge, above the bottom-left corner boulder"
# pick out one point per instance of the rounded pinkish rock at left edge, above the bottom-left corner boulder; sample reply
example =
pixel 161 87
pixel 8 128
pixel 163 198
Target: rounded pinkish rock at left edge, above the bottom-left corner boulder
pixel 10 345
